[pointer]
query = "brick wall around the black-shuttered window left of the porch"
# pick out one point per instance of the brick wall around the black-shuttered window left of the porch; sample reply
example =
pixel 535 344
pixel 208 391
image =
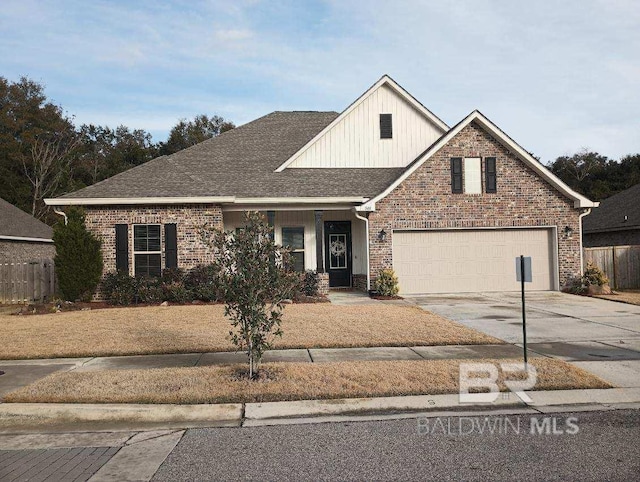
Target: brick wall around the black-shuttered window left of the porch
pixel 189 218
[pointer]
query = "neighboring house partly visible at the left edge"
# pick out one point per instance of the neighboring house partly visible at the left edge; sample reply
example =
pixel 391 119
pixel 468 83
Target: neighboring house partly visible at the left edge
pixel 23 238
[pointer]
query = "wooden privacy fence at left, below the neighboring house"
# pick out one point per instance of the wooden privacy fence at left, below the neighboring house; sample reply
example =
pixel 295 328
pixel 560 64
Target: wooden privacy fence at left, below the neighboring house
pixel 23 282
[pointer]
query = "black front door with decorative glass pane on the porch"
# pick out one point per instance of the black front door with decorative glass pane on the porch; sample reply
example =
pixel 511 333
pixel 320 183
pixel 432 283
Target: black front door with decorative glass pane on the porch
pixel 337 242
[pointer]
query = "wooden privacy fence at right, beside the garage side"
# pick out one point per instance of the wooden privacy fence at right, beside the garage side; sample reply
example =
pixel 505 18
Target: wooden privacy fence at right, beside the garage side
pixel 621 264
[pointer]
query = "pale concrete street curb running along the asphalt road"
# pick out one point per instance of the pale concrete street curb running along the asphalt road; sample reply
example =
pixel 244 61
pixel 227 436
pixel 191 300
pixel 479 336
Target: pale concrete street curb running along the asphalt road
pixel 76 417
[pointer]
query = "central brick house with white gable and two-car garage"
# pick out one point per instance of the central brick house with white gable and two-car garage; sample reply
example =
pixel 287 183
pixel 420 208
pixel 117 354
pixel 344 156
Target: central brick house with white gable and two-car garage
pixel 384 184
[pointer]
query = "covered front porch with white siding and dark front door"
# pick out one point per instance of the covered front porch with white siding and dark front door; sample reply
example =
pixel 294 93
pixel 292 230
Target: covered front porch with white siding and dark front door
pixel 332 242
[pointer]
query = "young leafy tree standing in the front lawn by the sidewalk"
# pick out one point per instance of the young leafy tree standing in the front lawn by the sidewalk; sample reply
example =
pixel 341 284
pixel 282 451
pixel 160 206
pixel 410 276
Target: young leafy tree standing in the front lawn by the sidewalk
pixel 255 284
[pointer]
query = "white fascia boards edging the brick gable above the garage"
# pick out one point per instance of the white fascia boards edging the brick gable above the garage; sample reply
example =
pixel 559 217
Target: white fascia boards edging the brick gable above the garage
pixel 579 201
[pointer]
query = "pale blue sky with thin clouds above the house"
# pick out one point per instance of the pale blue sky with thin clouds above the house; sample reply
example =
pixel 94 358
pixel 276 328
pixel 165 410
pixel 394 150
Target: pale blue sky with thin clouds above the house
pixel 556 76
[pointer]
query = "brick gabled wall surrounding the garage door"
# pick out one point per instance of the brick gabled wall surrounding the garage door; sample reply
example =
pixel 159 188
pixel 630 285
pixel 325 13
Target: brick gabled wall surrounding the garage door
pixel 424 201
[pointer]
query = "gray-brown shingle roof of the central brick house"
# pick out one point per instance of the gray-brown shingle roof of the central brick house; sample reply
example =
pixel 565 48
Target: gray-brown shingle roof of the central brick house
pixel 241 162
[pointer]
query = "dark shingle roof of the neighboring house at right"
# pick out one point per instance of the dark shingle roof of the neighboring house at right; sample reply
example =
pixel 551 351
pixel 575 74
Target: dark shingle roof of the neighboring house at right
pixel 616 213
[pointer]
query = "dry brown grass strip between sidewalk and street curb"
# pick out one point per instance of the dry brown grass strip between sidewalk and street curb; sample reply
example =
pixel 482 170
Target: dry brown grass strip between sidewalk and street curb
pixel 282 381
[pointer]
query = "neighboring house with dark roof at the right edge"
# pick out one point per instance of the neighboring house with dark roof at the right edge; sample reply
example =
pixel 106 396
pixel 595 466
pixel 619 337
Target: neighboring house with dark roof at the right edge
pixel 616 222
